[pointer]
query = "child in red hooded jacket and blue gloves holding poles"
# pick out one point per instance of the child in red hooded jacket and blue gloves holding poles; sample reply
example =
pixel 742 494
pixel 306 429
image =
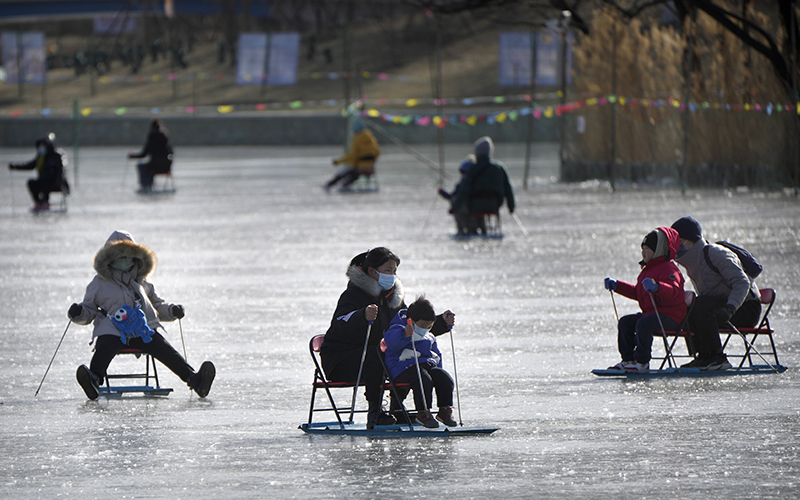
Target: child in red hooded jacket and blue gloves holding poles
pixel 661 278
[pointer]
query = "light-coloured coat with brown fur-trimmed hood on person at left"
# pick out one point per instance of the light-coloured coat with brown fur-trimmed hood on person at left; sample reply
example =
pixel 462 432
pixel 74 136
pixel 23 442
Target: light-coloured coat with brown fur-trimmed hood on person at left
pixel 111 288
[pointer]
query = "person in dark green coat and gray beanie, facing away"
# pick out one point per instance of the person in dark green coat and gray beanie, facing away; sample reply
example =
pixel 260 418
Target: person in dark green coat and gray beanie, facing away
pixel 483 190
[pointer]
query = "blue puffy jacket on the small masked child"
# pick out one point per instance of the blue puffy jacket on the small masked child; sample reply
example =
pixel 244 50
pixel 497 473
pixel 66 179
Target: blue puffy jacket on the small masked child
pixel 400 349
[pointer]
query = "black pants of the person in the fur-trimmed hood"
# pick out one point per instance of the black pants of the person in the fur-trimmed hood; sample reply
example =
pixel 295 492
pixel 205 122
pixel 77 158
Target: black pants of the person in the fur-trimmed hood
pixel 108 346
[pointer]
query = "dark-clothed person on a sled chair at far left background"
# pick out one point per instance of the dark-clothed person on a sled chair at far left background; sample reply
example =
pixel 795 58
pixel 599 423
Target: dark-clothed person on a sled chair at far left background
pixel 49 164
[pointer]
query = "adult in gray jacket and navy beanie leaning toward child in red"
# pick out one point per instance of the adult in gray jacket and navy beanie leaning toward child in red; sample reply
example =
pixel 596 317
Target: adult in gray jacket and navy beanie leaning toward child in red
pixel 725 294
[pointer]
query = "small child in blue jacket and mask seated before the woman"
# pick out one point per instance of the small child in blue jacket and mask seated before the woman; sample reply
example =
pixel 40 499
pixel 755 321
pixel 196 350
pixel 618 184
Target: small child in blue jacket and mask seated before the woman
pixel 410 344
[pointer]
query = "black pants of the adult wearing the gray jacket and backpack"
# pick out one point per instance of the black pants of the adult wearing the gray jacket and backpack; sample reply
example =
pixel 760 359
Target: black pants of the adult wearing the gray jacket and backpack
pixel 705 327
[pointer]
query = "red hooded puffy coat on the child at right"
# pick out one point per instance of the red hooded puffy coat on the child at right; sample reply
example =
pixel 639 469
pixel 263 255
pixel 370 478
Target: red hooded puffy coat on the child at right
pixel 669 297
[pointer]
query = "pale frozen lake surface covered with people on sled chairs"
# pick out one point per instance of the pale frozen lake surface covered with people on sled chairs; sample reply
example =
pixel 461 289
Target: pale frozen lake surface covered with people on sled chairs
pixel 256 252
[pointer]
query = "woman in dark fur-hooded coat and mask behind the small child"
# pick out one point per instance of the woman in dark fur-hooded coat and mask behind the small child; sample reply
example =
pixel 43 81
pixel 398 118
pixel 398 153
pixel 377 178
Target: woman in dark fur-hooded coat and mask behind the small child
pixel 373 294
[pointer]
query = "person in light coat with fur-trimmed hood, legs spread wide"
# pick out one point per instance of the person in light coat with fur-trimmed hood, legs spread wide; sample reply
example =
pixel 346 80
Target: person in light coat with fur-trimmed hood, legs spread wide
pixel 126 312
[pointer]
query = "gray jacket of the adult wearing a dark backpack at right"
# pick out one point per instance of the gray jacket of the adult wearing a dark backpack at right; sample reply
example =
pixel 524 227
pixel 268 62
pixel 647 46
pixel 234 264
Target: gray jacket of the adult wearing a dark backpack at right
pixel 731 281
